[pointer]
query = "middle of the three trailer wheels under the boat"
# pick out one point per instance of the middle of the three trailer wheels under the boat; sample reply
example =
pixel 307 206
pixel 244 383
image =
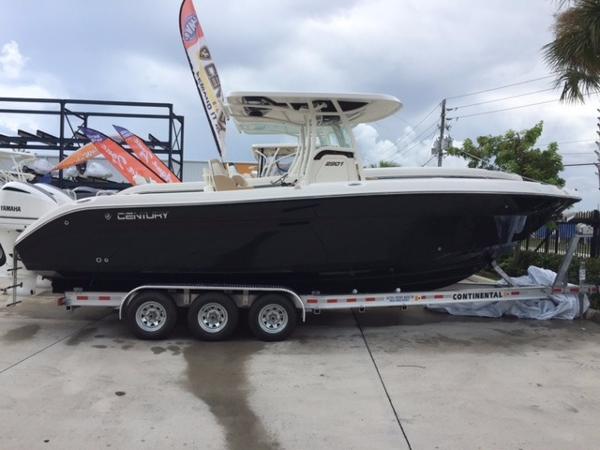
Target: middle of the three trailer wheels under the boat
pixel 213 316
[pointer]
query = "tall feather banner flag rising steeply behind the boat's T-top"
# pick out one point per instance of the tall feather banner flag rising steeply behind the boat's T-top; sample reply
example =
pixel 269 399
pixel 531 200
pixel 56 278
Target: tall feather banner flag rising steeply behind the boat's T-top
pixel 204 71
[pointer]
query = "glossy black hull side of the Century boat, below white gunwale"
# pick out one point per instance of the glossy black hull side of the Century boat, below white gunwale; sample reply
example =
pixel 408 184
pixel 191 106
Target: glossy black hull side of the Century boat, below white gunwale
pixel 327 244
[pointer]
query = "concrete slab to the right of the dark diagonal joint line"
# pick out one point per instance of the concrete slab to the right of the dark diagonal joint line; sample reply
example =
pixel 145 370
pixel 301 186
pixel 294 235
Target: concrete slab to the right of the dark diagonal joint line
pixel 470 383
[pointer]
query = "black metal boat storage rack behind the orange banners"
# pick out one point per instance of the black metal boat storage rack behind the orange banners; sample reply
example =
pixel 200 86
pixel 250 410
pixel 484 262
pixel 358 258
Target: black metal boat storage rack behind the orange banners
pixel 74 113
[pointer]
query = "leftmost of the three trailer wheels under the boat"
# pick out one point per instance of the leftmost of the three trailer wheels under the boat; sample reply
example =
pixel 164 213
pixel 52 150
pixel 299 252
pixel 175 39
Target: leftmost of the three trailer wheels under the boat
pixel 151 315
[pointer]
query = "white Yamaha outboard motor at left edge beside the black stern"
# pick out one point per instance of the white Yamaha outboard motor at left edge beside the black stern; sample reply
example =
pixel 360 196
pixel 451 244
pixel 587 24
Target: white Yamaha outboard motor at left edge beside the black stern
pixel 20 205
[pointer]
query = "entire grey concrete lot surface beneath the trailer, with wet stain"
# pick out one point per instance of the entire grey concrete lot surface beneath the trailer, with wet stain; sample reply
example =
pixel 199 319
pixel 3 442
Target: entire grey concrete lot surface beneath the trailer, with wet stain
pixel 386 379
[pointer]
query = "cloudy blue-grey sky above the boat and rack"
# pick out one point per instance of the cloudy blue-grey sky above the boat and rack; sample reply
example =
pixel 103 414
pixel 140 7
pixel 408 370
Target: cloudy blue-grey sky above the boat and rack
pixel 419 51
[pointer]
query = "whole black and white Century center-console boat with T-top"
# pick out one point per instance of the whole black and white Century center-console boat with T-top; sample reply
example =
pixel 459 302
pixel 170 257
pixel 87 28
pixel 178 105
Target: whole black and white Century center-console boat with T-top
pixel 327 225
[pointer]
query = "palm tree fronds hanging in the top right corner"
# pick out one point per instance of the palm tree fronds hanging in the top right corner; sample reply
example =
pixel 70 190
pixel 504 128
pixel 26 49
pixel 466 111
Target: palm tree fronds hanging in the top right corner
pixel 575 52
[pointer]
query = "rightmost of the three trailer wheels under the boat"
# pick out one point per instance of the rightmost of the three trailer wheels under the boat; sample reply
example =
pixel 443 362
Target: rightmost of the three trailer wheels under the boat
pixel 272 317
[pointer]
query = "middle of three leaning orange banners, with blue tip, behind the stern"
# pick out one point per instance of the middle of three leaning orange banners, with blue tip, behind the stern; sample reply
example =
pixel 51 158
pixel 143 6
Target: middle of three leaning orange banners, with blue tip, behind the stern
pixel 131 169
